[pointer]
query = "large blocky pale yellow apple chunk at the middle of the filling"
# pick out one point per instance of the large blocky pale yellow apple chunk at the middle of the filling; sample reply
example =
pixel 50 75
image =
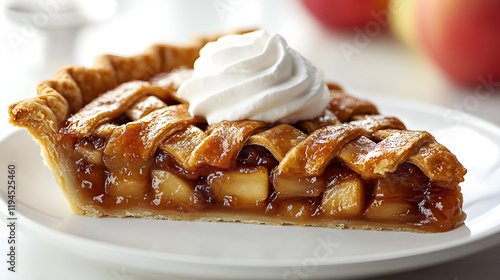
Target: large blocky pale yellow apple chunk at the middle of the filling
pixel 237 188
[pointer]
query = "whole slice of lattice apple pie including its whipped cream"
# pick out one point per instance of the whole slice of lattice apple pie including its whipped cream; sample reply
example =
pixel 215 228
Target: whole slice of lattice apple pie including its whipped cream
pixel 239 129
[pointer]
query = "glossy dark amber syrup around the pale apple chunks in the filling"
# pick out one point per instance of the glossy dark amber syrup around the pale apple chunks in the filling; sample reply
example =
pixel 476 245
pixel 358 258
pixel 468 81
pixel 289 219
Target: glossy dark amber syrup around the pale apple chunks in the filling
pixel 432 207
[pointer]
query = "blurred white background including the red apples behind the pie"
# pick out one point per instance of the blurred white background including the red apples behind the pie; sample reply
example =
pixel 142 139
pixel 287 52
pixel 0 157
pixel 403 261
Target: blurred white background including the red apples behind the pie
pixel 444 53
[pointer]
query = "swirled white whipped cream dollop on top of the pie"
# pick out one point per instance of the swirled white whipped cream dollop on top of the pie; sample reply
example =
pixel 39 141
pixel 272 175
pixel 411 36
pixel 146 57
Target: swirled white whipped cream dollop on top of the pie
pixel 254 76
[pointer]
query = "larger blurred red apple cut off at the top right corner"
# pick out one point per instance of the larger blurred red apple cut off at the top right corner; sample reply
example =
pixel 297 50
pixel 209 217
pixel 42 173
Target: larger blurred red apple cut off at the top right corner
pixel 462 36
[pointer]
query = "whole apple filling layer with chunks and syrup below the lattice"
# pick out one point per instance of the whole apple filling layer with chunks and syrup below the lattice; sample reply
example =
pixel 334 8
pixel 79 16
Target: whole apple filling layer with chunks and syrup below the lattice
pixel 406 196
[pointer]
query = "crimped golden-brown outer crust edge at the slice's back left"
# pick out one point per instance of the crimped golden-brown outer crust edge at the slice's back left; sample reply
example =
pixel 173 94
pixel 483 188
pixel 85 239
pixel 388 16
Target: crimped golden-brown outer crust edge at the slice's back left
pixel 74 87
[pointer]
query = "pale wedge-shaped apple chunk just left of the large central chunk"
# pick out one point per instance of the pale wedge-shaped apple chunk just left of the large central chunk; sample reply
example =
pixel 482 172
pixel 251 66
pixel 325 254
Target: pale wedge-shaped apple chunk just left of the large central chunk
pixel 170 188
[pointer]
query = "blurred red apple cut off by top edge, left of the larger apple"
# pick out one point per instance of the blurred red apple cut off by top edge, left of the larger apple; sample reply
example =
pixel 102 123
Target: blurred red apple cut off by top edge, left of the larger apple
pixel 346 14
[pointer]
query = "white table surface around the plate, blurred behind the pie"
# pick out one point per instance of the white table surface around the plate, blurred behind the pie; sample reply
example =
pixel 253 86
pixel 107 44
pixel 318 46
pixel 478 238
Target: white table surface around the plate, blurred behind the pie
pixel 380 66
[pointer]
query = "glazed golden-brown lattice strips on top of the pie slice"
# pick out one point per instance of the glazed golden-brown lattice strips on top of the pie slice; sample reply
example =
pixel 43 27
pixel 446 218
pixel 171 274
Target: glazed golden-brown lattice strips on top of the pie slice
pixel 352 142
